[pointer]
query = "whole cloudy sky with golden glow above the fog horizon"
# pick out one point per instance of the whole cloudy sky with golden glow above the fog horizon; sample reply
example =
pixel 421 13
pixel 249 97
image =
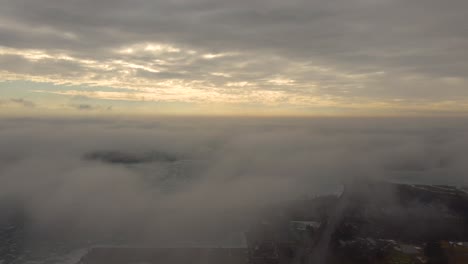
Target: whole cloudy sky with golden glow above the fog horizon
pixel 245 57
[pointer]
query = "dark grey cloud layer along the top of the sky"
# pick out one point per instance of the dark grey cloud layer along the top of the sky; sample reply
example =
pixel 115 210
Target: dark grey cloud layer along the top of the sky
pixel 337 28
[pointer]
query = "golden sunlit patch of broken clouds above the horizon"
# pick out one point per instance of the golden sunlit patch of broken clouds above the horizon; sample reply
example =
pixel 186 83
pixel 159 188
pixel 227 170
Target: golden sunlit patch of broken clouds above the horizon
pixel 123 69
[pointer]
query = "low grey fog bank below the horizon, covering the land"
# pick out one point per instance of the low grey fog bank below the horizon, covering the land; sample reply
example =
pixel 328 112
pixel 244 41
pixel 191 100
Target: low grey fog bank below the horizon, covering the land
pixel 167 179
